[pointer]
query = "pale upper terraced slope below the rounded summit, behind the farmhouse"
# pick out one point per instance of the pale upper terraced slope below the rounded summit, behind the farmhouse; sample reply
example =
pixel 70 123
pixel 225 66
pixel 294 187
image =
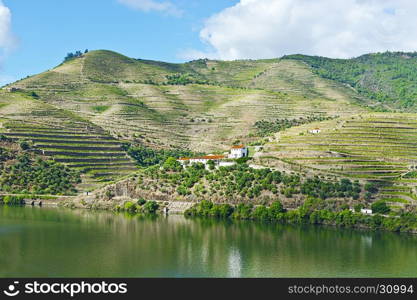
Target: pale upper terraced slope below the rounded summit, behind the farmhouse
pixel 131 100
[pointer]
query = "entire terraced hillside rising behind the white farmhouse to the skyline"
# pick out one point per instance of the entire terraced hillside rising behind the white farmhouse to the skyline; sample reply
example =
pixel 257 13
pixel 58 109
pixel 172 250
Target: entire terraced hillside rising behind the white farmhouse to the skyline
pixel 87 112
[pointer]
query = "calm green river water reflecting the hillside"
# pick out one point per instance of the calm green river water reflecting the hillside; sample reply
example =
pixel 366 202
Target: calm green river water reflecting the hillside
pixel 53 242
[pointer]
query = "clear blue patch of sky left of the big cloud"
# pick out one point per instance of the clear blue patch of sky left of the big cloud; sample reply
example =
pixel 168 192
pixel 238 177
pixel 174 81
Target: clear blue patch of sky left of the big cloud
pixel 46 30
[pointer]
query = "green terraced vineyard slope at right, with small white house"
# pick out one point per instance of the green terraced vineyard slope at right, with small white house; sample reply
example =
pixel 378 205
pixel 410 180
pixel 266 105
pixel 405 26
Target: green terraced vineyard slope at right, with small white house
pixel 379 147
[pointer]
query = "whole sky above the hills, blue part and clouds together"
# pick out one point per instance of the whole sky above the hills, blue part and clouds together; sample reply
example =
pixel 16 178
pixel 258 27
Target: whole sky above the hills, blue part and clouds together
pixel 35 35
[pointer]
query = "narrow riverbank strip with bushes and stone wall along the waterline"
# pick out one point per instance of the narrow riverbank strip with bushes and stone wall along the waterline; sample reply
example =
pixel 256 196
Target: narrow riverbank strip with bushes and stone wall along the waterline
pixel 307 214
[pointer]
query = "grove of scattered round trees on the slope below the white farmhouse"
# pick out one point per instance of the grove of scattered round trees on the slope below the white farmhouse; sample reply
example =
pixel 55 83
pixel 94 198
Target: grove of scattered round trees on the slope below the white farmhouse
pixel 240 182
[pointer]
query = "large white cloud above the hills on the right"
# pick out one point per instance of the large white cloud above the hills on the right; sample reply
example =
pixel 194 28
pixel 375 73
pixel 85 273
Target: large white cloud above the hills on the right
pixel 272 28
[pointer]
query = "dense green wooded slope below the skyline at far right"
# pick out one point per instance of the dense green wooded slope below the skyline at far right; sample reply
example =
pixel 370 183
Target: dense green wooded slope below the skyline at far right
pixel 389 77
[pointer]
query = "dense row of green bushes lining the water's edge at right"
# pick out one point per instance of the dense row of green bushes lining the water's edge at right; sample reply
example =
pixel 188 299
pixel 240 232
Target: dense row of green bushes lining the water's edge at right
pixel 313 211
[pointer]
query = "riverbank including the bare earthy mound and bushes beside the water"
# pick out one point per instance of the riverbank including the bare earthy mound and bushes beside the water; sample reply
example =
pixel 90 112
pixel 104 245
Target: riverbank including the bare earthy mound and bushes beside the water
pixel 125 196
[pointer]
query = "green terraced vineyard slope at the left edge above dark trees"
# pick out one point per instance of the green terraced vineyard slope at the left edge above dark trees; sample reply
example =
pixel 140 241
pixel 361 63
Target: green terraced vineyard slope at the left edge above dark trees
pixel 68 139
